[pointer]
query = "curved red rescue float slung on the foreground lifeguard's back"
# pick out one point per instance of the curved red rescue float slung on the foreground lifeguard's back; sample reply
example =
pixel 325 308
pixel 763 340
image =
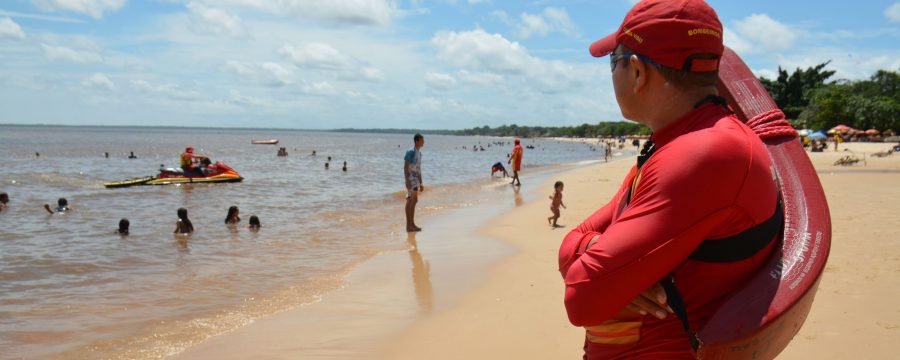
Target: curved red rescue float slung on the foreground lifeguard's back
pixel 759 320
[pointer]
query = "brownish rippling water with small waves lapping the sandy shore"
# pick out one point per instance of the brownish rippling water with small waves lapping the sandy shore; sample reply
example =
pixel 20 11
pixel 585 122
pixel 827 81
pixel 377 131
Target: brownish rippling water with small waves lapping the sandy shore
pixel 197 275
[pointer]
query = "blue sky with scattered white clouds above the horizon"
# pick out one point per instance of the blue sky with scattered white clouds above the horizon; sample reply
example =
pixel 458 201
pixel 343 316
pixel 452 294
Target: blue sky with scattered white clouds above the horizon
pixel 323 64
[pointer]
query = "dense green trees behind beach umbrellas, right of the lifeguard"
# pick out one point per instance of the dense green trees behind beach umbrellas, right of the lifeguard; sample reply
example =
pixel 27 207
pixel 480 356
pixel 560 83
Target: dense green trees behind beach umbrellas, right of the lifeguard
pixel 810 101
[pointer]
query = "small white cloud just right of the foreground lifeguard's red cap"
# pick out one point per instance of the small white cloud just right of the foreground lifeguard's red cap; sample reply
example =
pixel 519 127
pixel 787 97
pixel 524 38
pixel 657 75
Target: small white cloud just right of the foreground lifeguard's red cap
pixel 759 33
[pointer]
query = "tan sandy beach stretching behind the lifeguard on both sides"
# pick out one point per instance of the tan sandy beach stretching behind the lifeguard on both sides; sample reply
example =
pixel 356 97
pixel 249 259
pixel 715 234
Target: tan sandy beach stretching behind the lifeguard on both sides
pixel 514 309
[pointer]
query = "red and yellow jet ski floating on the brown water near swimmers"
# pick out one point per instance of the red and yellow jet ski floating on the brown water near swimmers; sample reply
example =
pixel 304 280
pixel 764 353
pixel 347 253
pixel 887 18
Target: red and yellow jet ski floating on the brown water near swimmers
pixel 207 173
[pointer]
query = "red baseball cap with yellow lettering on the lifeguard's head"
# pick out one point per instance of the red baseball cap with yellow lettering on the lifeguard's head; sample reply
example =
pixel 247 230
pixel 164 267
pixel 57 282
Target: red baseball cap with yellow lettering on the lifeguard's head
pixel 671 33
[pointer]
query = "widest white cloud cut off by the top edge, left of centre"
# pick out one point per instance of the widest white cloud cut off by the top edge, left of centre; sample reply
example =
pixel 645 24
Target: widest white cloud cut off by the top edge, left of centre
pixel 350 12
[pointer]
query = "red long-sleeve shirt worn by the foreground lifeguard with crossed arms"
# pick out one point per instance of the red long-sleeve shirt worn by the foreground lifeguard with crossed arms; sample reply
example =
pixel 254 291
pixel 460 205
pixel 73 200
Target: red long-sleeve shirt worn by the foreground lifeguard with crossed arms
pixel 709 178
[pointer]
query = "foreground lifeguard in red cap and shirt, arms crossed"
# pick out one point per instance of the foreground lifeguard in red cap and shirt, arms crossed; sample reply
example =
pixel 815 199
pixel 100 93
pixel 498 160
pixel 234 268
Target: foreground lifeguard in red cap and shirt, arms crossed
pixel 646 271
